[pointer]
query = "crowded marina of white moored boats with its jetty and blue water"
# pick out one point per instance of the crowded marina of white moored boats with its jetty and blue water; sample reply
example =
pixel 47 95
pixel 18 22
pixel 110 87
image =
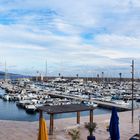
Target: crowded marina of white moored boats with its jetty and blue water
pixel 24 96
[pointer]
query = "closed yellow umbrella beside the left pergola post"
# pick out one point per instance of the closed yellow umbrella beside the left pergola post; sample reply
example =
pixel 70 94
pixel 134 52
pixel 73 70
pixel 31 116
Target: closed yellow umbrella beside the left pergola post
pixel 43 132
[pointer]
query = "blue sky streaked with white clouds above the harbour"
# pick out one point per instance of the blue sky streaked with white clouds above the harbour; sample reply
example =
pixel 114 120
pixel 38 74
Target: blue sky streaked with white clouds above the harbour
pixel 73 36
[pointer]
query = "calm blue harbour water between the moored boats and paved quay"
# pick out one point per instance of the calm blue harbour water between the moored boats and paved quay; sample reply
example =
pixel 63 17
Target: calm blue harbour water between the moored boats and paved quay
pixel 9 111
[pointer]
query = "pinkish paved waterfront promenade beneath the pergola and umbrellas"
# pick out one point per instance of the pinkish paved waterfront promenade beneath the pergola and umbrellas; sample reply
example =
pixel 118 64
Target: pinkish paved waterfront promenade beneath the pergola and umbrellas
pixel 14 130
